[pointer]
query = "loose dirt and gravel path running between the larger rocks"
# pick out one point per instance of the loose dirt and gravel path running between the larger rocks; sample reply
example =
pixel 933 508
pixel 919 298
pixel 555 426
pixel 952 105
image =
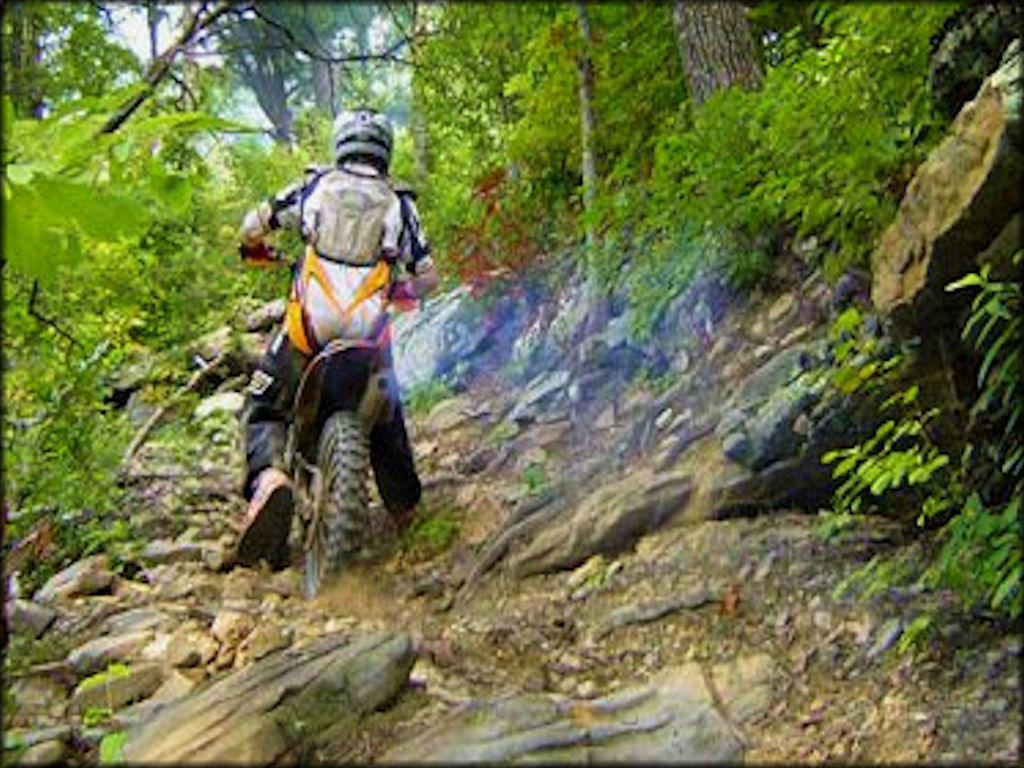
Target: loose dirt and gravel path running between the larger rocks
pixel 714 593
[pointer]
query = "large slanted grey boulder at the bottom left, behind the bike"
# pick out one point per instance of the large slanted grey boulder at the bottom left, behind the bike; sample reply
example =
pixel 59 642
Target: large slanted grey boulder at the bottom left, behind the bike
pixel 260 713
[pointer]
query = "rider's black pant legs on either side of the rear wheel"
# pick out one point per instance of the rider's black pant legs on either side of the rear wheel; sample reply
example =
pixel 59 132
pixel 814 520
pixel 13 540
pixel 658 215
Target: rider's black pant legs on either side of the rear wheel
pixel 268 412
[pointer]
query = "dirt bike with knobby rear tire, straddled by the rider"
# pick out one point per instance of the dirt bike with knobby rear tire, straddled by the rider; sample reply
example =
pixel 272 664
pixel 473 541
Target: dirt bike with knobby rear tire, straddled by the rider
pixel 344 393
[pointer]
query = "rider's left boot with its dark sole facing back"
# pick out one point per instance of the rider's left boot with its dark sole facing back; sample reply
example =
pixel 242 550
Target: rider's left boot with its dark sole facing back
pixel 268 521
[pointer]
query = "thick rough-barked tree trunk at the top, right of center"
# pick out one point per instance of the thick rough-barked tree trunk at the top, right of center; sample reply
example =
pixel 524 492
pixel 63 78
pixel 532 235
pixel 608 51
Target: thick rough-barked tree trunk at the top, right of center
pixel 716 46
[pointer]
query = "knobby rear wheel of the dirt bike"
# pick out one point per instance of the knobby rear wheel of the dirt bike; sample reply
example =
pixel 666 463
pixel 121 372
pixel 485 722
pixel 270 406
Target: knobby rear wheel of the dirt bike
pixel 342 501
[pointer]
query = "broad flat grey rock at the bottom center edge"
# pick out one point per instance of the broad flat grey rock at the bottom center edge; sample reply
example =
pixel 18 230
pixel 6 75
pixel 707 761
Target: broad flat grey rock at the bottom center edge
pixel 673 720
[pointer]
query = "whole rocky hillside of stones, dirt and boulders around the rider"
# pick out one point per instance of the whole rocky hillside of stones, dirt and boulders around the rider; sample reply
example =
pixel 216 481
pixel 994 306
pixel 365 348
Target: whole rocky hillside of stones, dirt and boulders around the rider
pixel 614 558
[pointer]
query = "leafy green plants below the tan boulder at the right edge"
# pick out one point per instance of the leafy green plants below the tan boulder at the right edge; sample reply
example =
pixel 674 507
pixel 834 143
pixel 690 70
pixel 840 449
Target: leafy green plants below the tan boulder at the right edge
pixel 977 501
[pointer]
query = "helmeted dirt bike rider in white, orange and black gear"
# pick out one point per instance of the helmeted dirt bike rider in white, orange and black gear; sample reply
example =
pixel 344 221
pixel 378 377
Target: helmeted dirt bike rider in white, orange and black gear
pixel 357 225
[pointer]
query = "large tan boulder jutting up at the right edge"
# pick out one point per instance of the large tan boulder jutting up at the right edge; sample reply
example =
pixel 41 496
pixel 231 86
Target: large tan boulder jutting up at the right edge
pixel 962 197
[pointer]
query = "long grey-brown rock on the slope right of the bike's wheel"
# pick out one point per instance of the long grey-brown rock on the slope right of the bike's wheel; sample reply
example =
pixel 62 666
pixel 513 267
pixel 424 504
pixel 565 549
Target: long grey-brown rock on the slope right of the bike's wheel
pixel 608 522
